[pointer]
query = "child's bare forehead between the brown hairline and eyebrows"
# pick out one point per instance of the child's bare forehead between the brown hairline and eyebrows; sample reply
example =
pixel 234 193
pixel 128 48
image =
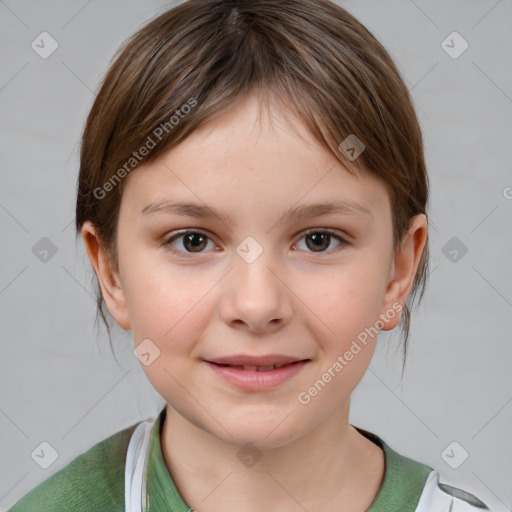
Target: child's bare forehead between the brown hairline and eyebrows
pixel 251 159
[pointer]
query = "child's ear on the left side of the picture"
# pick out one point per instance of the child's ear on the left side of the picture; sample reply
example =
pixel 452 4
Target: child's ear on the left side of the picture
pixel 109 279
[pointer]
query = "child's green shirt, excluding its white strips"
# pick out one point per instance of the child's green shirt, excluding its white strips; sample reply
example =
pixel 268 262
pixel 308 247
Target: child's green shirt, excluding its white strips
pixel 94 481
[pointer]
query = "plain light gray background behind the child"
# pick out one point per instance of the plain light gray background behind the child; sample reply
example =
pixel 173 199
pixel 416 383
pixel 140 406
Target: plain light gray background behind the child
pixel 60 383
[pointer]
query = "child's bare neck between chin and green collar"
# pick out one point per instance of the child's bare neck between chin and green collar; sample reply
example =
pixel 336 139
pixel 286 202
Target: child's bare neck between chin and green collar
pixel 212 474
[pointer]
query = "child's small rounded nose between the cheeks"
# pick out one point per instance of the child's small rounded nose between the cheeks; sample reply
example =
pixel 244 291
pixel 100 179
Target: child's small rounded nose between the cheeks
pixel 256 297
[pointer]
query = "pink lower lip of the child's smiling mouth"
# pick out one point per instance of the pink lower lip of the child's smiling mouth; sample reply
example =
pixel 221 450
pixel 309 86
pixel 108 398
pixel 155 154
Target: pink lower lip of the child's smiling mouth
pixel 254 380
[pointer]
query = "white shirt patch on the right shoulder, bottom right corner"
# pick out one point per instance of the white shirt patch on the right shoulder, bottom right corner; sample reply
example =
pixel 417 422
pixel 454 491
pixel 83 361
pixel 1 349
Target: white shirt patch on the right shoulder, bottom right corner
pixel 446 497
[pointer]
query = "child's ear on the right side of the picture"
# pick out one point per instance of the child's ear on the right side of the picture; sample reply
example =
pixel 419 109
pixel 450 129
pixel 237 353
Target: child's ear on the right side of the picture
pixel 403 271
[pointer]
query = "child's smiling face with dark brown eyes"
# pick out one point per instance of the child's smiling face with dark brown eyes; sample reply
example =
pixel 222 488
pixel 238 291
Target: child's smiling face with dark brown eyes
pixel 259 279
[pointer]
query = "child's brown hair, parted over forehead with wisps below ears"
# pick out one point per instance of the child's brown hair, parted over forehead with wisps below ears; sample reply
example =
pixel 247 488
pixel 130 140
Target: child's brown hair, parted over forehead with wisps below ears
pixel 192 63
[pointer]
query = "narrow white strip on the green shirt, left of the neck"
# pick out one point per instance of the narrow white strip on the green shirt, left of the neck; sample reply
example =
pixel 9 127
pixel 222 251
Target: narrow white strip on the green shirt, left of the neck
pixel 135 466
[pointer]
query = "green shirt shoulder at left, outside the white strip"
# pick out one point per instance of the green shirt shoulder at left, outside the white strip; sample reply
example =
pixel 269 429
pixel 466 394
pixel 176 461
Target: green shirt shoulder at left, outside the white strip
pixel 92 481
